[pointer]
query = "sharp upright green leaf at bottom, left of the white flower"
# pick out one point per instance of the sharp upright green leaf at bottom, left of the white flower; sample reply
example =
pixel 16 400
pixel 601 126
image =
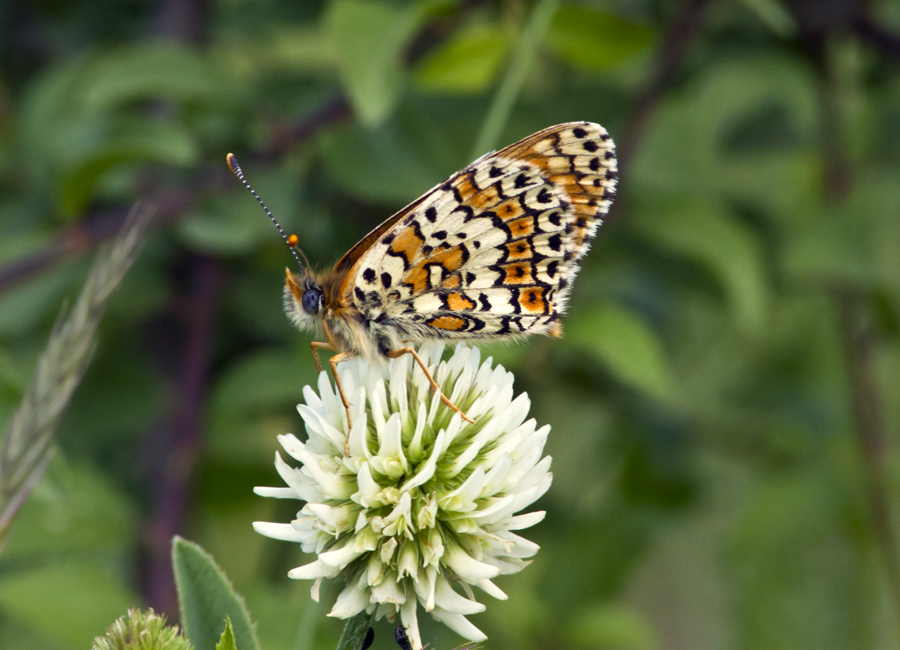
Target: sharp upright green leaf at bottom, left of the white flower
pixel 206 598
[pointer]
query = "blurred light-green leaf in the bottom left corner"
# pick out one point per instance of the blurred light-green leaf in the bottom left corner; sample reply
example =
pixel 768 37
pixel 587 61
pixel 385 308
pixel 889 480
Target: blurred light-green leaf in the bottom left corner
pixel 69 603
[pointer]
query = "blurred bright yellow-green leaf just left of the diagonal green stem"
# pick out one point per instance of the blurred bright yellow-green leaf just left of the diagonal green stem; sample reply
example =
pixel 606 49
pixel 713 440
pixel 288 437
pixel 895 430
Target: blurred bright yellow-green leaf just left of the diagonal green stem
pixel 467 62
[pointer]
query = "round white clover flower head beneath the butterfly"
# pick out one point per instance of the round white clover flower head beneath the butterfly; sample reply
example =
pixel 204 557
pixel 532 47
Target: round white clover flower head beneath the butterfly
pixel 425 502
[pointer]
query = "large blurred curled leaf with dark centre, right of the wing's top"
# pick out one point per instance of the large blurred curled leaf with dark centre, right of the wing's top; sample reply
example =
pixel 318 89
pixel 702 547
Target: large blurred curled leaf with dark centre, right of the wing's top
pixel 690 142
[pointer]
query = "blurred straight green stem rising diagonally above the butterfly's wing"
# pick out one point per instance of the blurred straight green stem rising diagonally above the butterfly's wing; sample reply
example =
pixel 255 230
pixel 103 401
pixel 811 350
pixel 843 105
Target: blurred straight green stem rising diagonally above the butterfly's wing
pixel 511 84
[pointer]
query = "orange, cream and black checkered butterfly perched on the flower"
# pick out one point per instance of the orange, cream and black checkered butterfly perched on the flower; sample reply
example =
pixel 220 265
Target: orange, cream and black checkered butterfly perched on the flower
pixel 488 254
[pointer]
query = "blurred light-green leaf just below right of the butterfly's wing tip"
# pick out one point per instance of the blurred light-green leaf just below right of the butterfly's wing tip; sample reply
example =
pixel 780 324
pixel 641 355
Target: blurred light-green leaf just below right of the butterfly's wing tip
pixel 625 344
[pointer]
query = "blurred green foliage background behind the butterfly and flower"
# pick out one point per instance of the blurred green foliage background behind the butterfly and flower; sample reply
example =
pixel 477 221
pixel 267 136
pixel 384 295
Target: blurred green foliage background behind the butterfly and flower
pixel 724 406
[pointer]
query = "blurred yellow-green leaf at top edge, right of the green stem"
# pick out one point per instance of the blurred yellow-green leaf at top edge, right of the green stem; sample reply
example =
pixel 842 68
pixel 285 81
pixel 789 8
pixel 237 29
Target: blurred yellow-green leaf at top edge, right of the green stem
pixel 594 39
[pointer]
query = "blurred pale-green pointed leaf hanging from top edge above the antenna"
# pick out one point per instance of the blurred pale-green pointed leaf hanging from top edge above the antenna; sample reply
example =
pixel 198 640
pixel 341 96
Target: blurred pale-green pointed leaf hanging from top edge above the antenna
pixel 368 40
